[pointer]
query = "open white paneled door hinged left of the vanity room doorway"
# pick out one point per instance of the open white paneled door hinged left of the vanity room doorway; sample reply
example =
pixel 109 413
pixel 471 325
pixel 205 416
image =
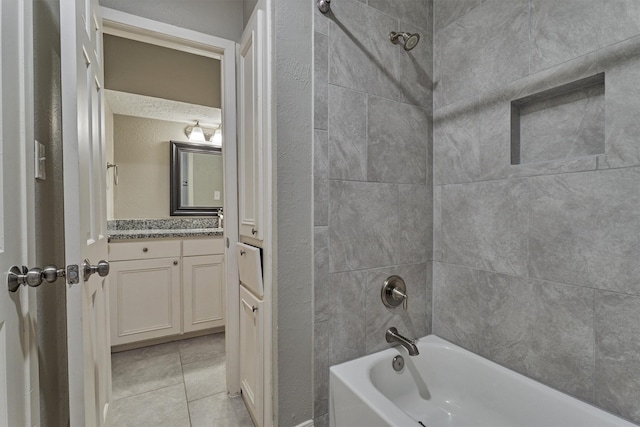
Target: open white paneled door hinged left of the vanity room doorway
pixel 85 212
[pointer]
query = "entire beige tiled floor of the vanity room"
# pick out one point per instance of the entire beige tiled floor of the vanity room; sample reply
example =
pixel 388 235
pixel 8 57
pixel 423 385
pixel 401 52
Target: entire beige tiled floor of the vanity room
pixel 177 384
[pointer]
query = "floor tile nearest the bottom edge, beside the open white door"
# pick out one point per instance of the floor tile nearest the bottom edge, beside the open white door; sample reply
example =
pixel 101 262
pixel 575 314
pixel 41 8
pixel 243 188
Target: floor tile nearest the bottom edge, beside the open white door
pixel 166 407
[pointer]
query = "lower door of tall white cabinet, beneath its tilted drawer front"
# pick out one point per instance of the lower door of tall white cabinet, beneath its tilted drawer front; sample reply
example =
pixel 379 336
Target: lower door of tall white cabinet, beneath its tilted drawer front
pixel 251 352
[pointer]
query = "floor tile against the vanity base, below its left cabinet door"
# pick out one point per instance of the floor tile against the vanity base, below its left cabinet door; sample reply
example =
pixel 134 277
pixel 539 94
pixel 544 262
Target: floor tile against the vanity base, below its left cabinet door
pixel 131 377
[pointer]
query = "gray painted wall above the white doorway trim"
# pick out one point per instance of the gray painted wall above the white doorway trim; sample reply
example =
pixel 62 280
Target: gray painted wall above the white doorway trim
pixel 221 18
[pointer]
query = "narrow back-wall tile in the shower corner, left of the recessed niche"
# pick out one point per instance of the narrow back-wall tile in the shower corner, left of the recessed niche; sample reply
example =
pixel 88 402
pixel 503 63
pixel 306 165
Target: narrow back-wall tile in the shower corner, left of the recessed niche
pixel 456 156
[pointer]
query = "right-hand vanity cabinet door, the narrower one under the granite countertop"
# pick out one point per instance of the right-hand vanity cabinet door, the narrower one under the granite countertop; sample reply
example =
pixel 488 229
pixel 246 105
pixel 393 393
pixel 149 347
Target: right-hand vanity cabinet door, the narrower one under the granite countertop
pixel 203 290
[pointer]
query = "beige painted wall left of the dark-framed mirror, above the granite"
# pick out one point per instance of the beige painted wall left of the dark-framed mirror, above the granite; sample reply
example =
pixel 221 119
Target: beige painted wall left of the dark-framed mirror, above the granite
pixel 142 153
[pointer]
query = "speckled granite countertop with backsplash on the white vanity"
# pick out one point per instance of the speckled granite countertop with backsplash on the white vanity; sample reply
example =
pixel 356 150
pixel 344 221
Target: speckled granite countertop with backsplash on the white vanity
pixel 162 228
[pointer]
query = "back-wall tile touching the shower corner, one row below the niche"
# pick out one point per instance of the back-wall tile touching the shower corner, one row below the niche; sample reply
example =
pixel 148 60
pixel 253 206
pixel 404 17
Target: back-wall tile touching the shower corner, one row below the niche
pixel 484 225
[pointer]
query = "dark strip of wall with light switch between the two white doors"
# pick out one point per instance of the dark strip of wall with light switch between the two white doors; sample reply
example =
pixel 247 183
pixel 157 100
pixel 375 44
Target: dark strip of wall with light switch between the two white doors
pixel 49 215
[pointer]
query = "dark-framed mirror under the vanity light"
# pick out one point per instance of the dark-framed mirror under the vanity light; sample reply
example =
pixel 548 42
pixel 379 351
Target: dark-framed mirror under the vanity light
pixel 196 179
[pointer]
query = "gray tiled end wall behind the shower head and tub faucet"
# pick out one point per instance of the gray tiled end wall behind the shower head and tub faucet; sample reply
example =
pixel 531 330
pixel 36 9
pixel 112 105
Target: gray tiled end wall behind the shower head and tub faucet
pixel 372 179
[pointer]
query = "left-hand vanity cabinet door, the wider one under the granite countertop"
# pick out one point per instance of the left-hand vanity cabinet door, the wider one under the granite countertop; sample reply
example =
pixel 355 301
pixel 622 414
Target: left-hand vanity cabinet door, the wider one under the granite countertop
pixel 145 299
